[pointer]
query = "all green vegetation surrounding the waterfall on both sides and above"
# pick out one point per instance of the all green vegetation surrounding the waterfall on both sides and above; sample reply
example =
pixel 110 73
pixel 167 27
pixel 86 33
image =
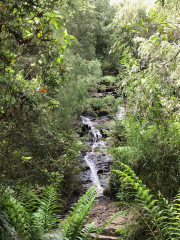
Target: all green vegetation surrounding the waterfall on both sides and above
pixel 52 53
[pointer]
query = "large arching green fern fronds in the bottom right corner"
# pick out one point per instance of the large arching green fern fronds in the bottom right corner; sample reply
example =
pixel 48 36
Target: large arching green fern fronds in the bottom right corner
pixel 161 218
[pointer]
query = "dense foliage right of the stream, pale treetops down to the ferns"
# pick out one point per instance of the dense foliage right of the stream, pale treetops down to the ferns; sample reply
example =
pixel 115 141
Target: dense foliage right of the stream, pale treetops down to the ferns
pixel 147 140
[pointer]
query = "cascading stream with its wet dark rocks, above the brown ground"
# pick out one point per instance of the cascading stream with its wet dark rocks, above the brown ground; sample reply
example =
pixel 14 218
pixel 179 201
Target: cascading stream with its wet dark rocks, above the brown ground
pixel 97 162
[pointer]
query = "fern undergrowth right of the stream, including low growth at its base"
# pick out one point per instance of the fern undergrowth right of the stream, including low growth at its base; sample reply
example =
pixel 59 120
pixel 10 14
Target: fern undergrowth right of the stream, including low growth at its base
pixel 157 218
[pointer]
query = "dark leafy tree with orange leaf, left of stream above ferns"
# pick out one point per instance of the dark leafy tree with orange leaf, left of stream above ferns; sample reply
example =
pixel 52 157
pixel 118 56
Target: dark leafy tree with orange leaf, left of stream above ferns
pixel 33 39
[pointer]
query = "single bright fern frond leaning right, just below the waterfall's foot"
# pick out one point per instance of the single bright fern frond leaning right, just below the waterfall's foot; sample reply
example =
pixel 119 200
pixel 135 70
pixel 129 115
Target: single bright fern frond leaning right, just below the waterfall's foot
pixel 71 227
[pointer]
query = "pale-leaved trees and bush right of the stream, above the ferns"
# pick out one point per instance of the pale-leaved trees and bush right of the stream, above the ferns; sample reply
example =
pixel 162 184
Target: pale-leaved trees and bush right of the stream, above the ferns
pixel 150 78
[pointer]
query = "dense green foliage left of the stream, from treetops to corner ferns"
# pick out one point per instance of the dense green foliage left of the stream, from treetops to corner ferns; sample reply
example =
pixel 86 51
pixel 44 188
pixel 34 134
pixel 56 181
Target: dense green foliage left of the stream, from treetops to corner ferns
pixel 45 76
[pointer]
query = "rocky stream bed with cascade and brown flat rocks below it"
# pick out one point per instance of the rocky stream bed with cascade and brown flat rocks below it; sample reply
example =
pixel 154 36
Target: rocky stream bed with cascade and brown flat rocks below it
pixel 97 164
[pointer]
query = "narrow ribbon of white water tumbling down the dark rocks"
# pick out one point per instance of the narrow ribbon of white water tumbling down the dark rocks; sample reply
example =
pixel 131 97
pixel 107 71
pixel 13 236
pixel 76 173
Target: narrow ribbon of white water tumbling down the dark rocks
pixel 96 143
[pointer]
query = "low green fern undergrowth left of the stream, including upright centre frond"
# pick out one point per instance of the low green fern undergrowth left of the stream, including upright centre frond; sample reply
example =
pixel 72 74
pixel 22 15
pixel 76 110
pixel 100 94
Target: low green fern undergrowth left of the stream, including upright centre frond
pixel 32 216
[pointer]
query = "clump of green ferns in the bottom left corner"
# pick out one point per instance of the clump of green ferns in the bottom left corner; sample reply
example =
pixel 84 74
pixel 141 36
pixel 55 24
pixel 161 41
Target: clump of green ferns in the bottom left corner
pixel 17 219
